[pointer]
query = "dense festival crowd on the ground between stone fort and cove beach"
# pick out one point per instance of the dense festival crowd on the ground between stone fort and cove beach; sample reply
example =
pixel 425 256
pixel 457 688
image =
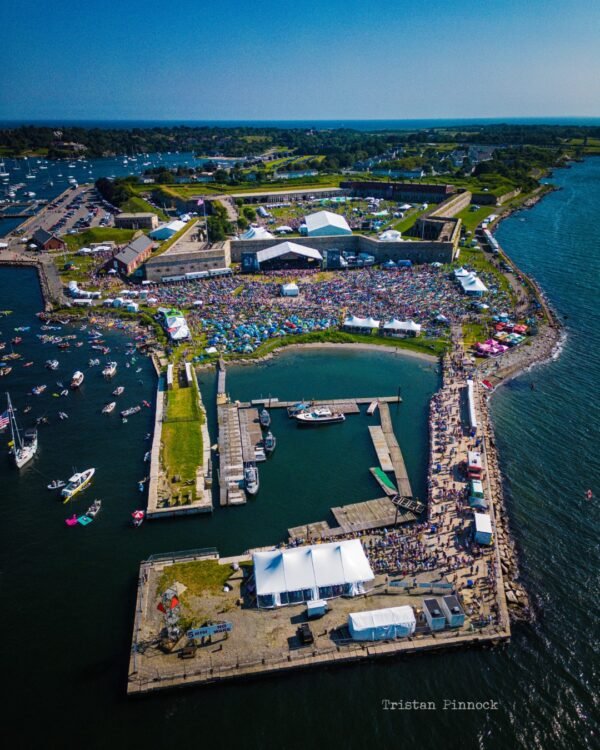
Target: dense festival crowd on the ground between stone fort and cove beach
pixel 238 313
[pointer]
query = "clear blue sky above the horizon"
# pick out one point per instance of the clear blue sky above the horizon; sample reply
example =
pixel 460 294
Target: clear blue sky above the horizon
pixel 289 60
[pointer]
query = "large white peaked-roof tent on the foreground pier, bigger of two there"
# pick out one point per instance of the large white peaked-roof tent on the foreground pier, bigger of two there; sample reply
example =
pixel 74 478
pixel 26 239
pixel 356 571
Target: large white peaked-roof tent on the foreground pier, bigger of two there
pixel 290 576
